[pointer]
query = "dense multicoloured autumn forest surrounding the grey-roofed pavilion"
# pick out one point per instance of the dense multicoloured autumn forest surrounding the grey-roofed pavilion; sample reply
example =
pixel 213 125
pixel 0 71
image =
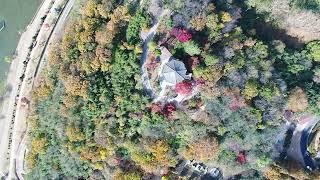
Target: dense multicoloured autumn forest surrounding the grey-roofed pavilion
pixel 91 117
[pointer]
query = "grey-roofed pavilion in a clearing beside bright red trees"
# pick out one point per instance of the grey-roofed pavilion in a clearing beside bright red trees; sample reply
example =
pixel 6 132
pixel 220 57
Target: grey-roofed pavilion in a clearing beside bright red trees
pixel 174 72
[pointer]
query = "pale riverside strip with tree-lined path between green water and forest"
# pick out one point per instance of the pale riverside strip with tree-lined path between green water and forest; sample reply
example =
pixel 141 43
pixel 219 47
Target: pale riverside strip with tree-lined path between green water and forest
pixel 31 48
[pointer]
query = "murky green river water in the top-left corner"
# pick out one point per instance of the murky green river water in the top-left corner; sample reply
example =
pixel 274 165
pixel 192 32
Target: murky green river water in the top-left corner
pixel 17 15
